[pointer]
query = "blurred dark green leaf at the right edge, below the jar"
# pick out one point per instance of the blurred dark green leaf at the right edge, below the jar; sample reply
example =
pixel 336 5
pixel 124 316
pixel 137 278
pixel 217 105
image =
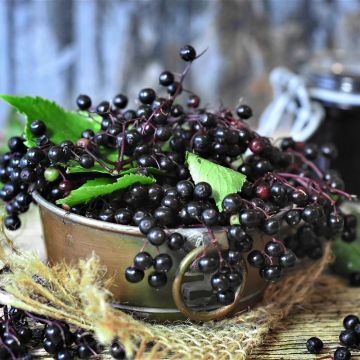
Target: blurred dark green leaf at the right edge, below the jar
pixel 347 255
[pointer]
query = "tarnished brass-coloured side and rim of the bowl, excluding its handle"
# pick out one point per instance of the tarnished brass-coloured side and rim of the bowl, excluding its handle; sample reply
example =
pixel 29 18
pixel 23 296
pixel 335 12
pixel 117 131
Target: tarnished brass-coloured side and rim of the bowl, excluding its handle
pixel 69 237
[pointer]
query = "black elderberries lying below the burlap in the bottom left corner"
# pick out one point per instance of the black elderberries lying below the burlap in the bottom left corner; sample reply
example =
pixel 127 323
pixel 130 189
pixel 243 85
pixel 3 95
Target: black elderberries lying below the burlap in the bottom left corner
pixel 21 332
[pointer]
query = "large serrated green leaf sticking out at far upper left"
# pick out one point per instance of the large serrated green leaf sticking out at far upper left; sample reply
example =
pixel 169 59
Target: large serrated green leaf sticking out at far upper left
pixel 61 125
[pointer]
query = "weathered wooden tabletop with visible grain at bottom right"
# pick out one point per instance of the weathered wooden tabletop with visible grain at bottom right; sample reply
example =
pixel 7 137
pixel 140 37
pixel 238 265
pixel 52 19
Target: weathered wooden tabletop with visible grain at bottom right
pixel 321 316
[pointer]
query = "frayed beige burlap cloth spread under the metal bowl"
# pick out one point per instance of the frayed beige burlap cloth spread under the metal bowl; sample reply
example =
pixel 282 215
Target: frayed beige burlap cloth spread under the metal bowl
pixel 78 296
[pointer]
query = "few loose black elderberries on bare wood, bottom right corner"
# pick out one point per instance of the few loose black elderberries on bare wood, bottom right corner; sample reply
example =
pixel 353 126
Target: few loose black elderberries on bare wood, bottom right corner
pixel 349 338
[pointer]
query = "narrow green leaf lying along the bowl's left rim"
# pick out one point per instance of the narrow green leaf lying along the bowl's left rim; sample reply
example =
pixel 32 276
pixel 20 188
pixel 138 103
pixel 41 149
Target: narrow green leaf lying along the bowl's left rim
pixel 102 186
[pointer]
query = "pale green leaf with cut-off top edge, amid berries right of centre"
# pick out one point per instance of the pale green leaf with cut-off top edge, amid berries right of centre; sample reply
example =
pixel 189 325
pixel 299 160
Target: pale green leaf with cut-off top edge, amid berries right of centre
pixel 223 181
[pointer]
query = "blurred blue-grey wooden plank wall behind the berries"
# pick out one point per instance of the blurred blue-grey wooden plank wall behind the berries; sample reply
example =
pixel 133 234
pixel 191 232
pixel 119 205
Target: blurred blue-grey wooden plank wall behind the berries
pixel 60 48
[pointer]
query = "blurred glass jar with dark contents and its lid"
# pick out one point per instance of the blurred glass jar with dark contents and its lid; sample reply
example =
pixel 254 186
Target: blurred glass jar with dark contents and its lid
pixel 334 80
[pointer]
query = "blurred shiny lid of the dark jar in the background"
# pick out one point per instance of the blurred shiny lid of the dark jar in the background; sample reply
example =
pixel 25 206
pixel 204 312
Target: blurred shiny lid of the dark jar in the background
pixel 334 78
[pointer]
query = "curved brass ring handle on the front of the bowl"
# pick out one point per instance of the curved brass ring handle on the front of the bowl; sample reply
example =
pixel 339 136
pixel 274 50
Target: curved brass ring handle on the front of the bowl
pixel 203 315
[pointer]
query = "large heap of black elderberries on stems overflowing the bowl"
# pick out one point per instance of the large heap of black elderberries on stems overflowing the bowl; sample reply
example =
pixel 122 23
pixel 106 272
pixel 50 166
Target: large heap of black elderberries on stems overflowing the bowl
pixel 291 195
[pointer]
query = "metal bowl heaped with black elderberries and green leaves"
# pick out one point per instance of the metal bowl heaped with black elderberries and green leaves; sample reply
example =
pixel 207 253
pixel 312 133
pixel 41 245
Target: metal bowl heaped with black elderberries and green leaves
pixel 191 211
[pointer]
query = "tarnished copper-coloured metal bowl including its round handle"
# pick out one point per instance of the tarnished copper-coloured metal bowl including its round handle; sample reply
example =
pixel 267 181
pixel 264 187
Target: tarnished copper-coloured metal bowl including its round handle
pixel 70 237
